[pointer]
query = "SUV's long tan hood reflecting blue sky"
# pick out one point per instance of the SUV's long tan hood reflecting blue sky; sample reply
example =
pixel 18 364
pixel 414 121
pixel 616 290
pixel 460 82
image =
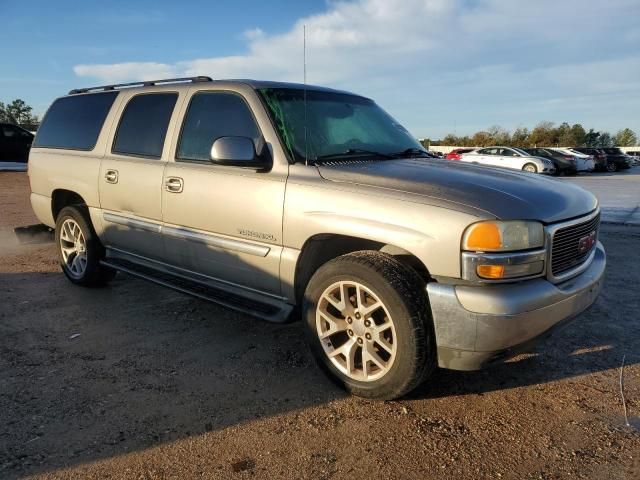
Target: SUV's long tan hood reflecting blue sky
pixel 507 195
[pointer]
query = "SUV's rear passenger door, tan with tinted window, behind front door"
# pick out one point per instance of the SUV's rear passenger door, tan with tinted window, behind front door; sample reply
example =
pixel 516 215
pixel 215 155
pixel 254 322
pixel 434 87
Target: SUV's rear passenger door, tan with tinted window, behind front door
pixel 130 182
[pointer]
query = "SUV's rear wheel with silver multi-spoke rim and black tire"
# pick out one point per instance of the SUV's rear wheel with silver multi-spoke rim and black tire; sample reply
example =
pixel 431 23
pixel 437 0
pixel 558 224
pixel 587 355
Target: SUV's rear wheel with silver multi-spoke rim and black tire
pixel 80 250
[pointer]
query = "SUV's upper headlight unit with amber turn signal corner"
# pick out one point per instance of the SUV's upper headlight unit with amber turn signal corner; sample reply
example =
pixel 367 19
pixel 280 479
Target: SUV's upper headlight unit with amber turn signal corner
pixel 503 236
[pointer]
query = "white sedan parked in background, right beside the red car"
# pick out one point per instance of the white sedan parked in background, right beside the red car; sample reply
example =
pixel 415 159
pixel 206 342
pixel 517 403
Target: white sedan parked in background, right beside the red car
pixel 509 157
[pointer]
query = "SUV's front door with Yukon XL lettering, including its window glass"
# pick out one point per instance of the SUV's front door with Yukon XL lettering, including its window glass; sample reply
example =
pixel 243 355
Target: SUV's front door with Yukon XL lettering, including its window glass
pixel 220 221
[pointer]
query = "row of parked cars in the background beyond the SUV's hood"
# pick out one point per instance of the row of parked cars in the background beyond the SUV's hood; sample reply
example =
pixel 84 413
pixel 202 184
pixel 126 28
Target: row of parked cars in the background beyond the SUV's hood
pixel 550 161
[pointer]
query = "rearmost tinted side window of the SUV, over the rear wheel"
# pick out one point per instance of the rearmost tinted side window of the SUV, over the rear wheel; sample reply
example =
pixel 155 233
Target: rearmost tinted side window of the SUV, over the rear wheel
pixel 75 122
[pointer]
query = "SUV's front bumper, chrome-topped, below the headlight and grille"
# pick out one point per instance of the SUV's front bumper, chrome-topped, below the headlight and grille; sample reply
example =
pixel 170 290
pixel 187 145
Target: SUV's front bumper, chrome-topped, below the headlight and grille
pixel 475 326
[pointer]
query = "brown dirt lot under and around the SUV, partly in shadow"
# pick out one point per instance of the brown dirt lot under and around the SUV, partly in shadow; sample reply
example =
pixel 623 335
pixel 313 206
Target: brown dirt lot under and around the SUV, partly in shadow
pixel 136 381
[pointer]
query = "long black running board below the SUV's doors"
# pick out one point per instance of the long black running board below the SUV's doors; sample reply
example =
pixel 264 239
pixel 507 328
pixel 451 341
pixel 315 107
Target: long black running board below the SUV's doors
pixel 271 311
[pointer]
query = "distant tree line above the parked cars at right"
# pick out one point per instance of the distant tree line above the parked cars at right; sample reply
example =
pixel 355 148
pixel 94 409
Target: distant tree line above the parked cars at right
pixel 545 134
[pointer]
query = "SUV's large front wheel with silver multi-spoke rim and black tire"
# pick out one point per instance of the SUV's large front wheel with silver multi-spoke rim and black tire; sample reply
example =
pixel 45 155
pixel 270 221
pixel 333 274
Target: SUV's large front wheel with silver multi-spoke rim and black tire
pixel 368 324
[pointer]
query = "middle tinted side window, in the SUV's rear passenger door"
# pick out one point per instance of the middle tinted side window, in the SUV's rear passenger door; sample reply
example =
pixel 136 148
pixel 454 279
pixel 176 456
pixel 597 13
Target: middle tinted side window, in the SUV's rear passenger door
pixel 144 124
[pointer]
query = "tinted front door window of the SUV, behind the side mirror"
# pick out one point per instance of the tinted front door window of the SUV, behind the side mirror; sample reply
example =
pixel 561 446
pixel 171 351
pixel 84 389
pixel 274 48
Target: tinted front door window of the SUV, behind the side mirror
pixel 212 115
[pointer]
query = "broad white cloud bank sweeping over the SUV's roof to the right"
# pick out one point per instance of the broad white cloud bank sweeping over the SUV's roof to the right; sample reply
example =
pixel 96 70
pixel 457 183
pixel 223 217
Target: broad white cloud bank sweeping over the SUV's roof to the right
pixel 438 56
